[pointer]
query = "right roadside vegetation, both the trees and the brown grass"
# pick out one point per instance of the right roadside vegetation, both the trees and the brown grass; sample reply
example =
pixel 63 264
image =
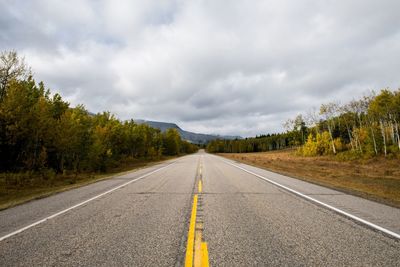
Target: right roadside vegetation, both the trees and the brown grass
pixel 353 147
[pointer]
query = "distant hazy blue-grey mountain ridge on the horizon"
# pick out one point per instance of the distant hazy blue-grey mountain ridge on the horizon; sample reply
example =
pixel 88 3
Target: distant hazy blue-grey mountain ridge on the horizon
pixel 196 138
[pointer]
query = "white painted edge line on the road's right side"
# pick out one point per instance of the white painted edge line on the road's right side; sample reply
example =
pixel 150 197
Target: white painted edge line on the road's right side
pixel 372 225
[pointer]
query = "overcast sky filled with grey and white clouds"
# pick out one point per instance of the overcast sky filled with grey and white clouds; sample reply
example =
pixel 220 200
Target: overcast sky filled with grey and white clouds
pixel 223 67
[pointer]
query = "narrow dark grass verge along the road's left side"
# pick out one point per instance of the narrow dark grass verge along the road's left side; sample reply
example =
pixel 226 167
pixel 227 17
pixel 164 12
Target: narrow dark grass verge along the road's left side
pixel 26 187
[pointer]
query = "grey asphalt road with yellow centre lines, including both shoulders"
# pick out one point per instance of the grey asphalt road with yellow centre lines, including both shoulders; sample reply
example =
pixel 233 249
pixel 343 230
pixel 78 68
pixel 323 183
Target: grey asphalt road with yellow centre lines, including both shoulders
pixel 202 209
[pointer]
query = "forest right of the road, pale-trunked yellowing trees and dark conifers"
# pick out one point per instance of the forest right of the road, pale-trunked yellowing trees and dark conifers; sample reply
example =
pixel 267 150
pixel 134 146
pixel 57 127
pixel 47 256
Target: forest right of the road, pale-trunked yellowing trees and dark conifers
pixel 362 128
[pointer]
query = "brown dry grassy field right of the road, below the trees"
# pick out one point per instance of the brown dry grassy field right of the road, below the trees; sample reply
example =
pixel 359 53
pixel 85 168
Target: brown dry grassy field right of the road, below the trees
pixel 376 179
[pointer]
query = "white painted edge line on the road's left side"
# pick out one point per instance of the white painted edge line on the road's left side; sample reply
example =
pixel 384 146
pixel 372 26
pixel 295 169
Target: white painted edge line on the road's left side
pixel 80 204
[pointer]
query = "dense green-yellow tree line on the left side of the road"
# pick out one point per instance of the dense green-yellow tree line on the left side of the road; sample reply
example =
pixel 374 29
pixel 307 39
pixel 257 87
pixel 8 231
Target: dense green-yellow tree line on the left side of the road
pixel 40 131
